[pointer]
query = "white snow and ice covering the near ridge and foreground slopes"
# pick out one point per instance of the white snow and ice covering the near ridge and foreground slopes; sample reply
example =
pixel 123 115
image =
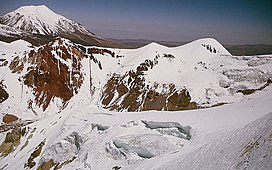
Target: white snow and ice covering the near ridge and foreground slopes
pixel 83 135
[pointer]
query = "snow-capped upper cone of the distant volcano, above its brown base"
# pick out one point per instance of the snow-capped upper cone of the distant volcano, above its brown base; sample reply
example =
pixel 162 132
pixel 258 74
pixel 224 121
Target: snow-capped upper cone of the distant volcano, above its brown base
pixel 41 20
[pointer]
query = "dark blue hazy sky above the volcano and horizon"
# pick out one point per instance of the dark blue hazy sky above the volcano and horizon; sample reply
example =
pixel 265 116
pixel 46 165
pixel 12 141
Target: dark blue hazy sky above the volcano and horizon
pixel 229 21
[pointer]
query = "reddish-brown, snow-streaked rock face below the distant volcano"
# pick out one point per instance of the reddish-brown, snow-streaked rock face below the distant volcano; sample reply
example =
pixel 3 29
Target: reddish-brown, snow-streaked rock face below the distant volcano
pixel 56 72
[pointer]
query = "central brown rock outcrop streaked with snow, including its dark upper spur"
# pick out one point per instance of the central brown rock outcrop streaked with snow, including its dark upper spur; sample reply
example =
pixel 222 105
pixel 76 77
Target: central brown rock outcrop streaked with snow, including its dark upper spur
pixel 129 92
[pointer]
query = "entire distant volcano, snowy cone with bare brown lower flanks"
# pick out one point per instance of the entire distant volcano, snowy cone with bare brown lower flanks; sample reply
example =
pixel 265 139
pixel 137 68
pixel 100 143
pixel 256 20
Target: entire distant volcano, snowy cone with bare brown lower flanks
pixel 39 24
